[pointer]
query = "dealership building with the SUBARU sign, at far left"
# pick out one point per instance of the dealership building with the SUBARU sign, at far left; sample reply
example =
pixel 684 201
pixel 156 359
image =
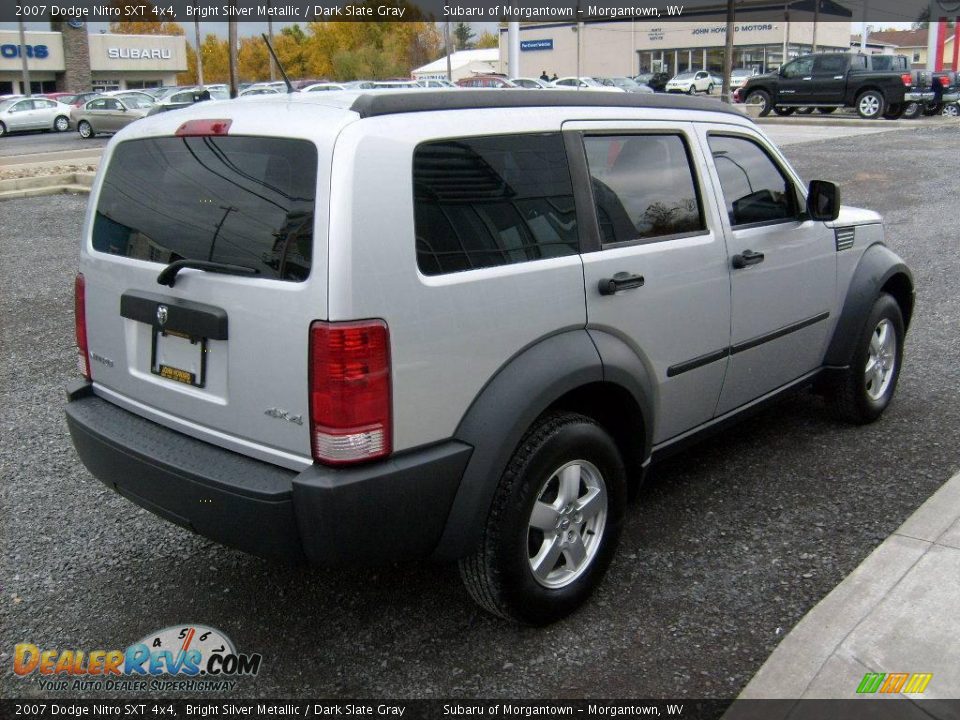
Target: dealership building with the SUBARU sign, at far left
pixel 68 59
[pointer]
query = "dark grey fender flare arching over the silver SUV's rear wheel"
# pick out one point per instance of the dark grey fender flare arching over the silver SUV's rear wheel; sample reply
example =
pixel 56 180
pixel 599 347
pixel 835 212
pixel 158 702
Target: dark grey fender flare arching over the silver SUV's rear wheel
pixel 526 386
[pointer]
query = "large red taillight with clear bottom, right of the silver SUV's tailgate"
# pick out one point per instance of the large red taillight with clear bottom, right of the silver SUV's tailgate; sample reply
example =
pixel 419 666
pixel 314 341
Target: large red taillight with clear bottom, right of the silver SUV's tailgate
pixel 349 367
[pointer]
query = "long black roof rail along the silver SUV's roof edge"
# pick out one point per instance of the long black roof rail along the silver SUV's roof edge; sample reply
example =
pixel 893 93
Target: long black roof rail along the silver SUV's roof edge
pixel 374 104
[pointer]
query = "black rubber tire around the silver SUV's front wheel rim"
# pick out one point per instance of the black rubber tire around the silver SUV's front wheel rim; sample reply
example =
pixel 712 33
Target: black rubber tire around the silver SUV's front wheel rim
pixel 852 398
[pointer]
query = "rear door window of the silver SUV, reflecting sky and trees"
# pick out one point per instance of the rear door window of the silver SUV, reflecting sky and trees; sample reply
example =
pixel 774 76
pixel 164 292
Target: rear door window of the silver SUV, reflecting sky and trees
pixel 643 187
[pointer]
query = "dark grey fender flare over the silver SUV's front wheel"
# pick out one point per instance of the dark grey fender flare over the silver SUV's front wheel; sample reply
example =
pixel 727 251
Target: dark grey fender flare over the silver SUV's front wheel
pixel 876 267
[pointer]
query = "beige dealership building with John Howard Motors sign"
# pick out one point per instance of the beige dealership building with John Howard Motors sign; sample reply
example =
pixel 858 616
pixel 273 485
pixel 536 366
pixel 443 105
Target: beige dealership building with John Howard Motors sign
pixel 617 48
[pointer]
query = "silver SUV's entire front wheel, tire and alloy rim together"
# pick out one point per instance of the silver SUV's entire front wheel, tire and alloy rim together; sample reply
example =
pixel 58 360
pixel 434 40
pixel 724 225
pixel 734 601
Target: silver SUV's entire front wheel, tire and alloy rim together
pixel 866 388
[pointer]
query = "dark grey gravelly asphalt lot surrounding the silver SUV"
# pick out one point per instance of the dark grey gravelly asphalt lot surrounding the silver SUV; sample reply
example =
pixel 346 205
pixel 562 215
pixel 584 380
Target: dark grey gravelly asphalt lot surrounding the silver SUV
pixel 726 547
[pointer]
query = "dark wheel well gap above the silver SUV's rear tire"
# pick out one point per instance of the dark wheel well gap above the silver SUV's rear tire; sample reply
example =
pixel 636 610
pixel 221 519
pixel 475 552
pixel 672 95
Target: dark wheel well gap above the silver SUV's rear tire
pixel 613 407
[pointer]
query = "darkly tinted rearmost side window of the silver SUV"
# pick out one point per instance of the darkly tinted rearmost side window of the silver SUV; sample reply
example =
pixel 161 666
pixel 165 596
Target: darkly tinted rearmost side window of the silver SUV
pixel 486 201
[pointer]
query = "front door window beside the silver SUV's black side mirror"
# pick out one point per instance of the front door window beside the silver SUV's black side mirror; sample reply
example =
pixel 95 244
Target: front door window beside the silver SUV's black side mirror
pixel 755 190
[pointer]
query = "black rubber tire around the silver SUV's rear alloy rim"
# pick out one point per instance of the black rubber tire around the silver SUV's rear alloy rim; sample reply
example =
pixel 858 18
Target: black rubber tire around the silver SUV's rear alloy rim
pixel 499 575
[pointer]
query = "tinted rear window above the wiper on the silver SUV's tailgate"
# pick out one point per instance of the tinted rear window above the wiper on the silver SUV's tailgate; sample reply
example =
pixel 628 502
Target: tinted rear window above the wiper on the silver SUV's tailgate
pixel 239 200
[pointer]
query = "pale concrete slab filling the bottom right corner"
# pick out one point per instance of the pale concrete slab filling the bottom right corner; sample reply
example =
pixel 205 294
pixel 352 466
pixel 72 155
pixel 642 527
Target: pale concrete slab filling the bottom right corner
pixel 862 625
